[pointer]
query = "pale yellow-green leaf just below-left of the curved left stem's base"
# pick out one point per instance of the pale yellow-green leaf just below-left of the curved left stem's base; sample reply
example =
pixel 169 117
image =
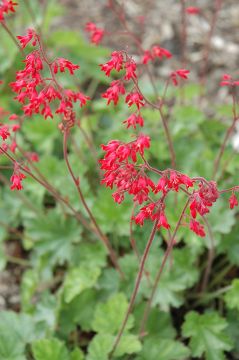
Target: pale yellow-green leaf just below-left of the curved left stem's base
pixel 78 279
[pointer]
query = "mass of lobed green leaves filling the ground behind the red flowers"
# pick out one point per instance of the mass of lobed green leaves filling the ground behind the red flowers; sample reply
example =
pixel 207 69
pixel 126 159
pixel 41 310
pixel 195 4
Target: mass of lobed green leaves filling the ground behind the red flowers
pixel 72 300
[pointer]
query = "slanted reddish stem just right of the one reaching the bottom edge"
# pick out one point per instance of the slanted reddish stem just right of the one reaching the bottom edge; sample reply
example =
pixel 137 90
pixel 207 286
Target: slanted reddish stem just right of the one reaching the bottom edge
pixel 158 276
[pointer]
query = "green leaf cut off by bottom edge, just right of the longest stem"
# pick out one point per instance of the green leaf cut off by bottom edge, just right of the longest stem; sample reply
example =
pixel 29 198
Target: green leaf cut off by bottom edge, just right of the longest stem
pixel 156 348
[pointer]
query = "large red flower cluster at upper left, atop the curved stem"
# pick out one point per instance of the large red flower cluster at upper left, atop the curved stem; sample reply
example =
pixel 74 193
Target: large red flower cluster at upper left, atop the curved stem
pixel 36 92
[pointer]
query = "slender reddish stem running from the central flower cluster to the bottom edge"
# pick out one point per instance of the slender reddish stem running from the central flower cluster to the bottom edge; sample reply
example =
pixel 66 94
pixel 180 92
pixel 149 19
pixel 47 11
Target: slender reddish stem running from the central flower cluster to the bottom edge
pixel 136 287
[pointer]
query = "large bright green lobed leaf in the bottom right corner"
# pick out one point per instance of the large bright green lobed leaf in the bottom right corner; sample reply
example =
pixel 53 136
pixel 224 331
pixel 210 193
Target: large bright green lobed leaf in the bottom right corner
pixel 207 335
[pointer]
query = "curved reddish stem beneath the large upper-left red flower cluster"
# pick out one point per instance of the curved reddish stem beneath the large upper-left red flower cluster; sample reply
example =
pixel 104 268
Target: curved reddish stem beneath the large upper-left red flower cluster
pixel 78 188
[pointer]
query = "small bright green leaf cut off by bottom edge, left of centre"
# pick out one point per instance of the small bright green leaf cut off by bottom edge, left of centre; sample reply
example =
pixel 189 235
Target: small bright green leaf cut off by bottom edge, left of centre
pixel 49 349
